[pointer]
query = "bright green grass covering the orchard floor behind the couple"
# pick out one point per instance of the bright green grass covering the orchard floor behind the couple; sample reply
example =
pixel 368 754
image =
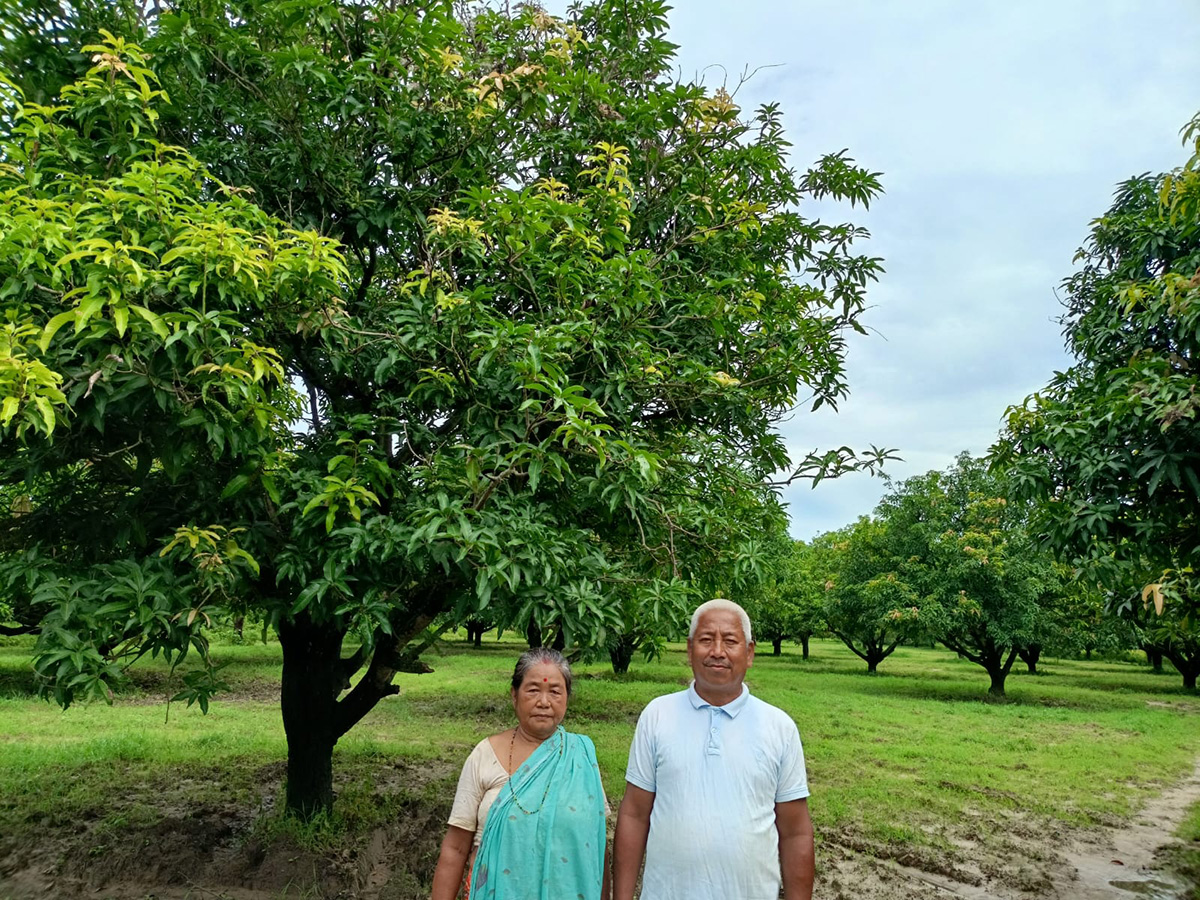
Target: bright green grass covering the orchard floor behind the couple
pixel 909 758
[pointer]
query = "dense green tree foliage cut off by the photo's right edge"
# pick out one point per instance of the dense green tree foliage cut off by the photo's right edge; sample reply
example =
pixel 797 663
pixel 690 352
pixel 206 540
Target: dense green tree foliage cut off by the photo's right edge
pixel 1109 447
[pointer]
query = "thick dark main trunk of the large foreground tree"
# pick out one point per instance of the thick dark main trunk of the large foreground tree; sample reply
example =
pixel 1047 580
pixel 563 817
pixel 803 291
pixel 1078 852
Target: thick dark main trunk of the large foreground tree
pixel 314 676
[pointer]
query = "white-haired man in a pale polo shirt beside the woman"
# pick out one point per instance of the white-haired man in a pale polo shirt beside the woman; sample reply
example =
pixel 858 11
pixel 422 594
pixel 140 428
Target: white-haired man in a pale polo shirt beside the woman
pixel 716 794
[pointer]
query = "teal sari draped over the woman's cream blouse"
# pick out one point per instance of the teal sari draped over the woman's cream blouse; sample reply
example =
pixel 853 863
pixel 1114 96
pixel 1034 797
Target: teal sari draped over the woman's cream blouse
pixel 545 835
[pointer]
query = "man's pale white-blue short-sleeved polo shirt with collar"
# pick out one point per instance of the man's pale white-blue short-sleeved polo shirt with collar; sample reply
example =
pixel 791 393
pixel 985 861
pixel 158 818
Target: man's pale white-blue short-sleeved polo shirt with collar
pixel 717 775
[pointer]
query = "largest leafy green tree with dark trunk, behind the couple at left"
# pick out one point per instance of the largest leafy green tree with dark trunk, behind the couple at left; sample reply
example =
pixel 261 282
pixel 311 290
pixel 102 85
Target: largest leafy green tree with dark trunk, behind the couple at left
pixel 532 357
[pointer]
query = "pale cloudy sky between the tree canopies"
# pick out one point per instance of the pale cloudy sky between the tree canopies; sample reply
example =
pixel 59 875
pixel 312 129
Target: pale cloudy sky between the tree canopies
pixel 1003 129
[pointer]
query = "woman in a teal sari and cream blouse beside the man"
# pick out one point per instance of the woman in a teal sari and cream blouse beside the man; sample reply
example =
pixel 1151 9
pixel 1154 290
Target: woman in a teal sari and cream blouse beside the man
pixel 529 818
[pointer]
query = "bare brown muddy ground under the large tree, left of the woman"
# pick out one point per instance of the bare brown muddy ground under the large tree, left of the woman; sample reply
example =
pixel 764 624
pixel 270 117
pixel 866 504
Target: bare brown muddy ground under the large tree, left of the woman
pixel 232 853
